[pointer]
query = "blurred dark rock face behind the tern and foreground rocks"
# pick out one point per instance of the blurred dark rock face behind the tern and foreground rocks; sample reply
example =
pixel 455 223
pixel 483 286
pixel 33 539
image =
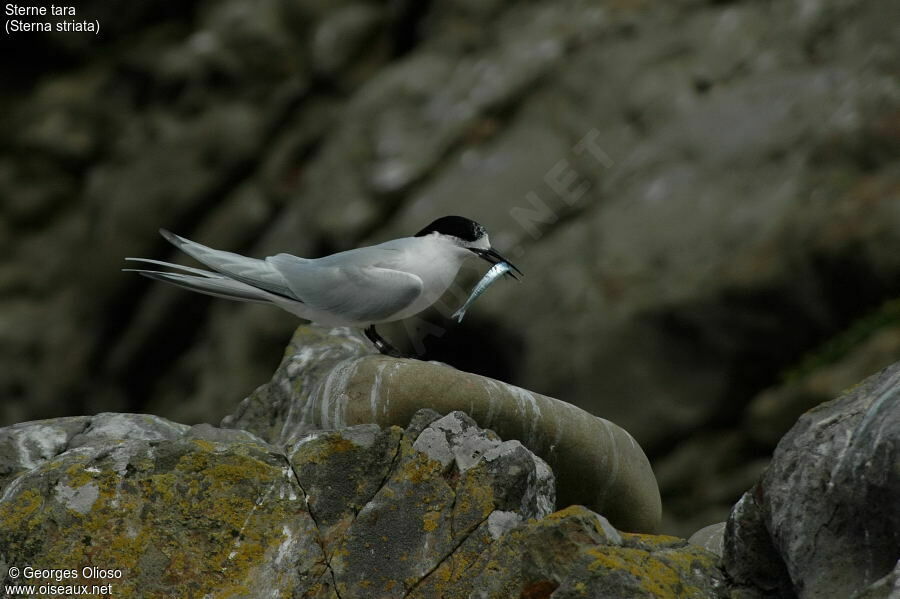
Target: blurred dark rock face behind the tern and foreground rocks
pixel 703 195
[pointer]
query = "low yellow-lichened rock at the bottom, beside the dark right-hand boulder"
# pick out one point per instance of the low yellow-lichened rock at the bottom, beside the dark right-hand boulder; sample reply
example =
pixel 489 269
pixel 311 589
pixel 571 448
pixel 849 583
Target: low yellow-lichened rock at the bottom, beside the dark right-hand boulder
pixel 574 553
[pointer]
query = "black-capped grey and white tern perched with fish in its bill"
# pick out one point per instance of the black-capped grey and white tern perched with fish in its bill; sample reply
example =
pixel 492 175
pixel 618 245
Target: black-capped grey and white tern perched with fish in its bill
pixel 357 288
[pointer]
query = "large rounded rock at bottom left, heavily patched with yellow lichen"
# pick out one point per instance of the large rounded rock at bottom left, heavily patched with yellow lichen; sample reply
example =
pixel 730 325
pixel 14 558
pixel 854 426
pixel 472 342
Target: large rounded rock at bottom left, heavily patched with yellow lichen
pixel 178 511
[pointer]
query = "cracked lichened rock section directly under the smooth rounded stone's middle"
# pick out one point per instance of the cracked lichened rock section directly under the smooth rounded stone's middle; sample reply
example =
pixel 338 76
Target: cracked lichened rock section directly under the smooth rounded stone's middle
pixel 428 502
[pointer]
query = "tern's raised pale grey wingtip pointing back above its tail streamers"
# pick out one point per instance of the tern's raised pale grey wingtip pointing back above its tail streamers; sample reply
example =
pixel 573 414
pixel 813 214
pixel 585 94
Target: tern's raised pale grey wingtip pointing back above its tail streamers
pixel 252 271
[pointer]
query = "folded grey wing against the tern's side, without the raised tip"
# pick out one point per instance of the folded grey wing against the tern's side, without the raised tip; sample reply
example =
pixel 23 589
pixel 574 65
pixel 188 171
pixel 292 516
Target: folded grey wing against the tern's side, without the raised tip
pixel 358 293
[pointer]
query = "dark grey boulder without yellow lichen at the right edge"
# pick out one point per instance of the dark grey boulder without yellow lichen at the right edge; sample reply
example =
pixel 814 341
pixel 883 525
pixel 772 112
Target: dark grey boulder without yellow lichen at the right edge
pixel 826 514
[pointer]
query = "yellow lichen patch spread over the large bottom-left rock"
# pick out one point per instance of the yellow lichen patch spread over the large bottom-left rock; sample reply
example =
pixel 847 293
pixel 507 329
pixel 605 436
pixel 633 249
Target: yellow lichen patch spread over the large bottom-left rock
pixel 197 518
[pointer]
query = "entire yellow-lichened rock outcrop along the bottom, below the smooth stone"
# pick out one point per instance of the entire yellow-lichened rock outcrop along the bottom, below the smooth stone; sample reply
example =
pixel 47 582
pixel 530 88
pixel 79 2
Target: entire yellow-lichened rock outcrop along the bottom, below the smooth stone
pixel 442 508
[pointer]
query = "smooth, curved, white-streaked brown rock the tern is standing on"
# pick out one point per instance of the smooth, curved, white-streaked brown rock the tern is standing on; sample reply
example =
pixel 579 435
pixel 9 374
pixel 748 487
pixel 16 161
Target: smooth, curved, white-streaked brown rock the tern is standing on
pixel 328 379
